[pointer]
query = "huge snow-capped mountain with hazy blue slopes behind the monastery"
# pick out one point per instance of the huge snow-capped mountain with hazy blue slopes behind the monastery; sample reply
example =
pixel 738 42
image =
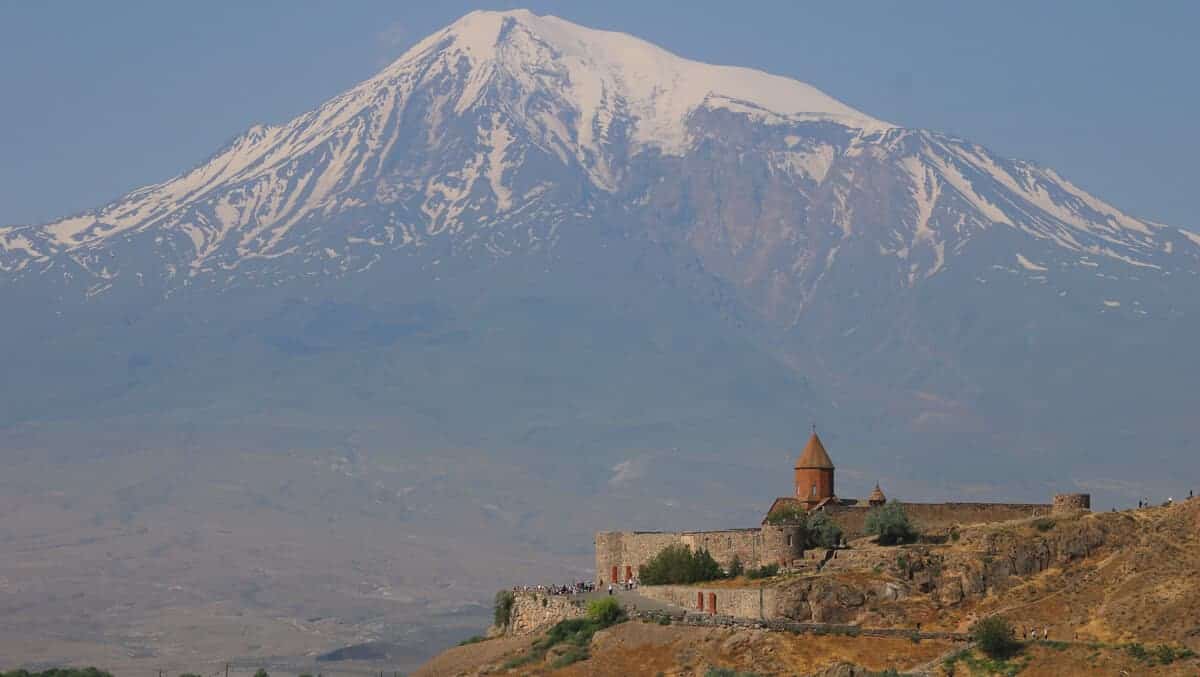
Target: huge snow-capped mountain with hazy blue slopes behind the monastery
pixel 578 233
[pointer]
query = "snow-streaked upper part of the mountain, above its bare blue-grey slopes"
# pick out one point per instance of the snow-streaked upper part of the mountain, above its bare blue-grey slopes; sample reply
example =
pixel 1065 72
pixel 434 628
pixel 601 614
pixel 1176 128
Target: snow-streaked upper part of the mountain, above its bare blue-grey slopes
pixel 503 127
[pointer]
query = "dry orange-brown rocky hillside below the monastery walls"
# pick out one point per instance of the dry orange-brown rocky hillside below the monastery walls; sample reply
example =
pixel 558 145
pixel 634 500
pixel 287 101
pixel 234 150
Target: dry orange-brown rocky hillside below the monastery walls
pixel 1111 588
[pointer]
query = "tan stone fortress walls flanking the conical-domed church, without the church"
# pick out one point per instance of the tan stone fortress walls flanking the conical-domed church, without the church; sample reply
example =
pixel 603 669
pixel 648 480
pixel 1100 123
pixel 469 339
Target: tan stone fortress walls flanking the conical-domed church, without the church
pixel 619 555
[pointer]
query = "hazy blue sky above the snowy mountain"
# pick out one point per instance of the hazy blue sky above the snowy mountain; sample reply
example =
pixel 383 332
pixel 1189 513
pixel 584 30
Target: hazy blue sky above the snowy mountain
pixel 100 98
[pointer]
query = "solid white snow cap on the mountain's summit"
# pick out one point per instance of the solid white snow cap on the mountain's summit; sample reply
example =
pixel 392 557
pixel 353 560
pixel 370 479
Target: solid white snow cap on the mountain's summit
pixel 603 70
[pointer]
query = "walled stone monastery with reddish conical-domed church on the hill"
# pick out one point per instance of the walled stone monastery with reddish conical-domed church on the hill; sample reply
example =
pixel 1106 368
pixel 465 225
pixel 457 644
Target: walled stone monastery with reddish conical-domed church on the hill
pixel 620 554
